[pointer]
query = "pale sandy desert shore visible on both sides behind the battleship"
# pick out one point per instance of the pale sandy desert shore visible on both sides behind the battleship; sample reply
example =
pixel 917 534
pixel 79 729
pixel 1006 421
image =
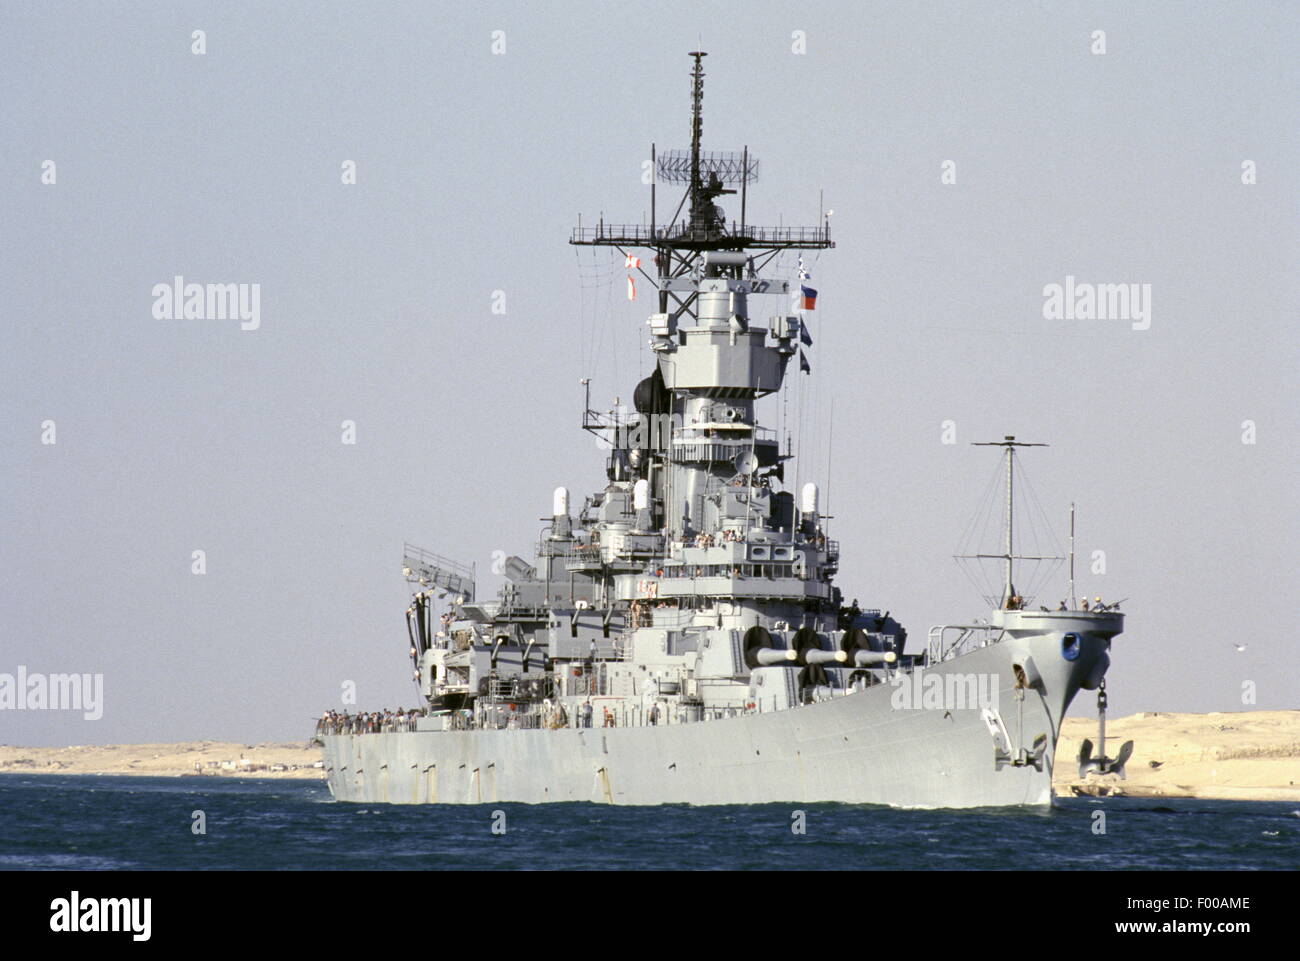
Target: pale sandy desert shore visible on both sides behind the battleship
pixel 1247 756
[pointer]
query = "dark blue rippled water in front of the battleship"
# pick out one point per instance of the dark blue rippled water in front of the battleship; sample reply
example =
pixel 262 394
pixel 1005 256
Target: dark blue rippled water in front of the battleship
pixel 80 823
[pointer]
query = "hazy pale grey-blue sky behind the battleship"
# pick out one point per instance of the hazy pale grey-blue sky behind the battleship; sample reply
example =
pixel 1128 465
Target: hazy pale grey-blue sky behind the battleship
pixel 376 306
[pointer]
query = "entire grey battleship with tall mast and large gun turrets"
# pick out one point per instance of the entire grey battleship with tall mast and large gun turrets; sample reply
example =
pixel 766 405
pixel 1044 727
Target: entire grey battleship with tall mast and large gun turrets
pixel 679 638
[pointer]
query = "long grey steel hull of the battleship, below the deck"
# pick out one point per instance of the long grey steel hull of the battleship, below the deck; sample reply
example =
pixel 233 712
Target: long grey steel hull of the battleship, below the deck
pixel 872 747
